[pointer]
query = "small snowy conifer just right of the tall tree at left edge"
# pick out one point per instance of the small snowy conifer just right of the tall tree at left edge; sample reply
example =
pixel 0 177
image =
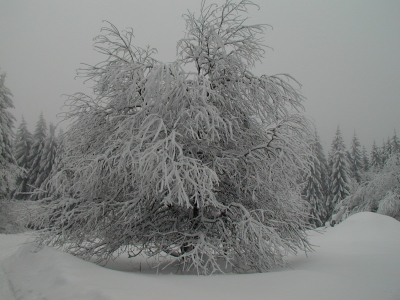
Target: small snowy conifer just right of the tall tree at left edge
pixel 22 145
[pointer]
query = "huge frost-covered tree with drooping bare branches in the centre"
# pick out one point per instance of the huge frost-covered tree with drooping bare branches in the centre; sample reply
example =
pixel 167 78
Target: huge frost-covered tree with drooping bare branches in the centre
pixel 198 159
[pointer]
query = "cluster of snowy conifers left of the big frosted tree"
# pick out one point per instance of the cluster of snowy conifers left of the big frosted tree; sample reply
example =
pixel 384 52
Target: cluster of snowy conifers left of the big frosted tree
pixel 26 159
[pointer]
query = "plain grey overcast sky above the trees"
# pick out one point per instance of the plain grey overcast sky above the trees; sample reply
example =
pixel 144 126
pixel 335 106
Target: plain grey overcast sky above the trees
pixel 346 54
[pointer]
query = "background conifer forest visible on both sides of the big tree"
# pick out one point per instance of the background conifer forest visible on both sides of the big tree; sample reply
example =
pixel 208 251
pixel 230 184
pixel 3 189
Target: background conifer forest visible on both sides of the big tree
pixel 340 174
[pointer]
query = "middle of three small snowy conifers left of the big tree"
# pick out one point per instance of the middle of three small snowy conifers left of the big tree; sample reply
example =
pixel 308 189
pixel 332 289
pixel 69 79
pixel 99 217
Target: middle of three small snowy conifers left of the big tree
pixel 36 152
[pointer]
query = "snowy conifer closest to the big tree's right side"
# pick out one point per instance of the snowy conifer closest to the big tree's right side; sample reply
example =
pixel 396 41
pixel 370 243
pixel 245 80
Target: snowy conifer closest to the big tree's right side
pixel 313 192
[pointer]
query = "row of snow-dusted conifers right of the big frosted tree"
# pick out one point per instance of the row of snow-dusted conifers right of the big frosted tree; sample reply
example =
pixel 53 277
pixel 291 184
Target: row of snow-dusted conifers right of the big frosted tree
pixel 330 181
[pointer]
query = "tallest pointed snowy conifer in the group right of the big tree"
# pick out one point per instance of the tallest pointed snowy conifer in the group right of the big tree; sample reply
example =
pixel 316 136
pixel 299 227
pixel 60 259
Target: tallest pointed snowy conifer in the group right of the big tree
pixel 339 173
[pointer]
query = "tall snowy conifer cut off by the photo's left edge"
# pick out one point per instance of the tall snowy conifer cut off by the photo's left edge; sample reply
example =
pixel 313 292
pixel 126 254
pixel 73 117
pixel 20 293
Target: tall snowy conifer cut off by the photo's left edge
pixel 8 168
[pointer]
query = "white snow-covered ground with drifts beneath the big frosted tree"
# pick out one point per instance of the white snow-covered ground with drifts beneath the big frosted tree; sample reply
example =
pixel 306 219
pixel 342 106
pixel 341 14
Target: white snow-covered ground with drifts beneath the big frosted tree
pixel 357 259
